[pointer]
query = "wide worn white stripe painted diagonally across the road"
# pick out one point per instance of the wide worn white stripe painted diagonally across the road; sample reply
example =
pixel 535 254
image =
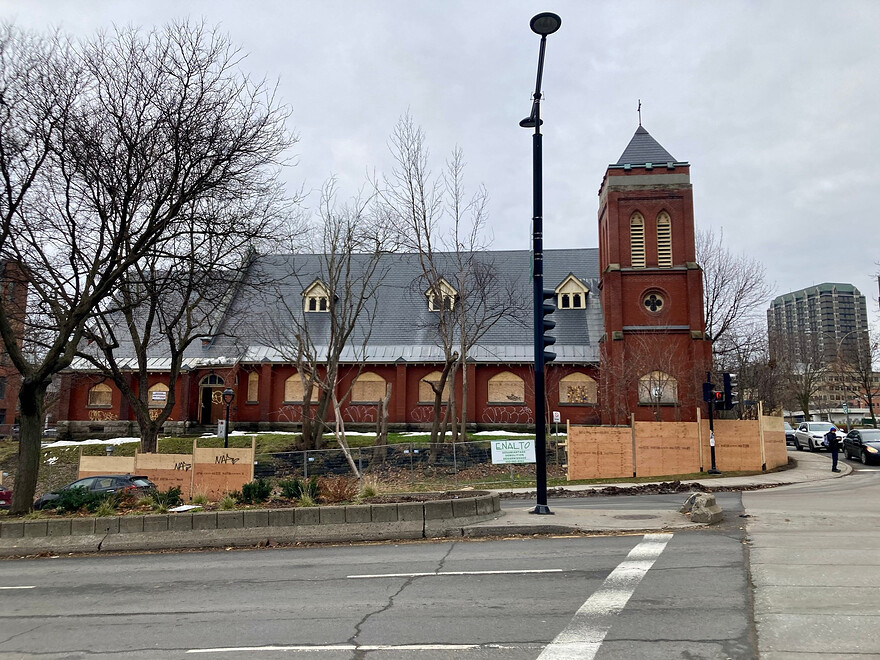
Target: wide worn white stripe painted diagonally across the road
pixel 586 631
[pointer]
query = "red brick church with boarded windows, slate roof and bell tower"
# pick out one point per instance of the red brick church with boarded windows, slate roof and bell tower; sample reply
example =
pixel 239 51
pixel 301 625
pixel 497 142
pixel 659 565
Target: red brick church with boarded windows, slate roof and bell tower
pixel 630 331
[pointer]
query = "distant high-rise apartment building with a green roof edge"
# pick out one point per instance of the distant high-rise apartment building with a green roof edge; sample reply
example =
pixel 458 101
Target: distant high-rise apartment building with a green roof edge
pixel 818 325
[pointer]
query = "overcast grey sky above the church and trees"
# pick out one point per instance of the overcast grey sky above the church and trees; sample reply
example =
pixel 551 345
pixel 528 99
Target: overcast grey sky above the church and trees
pixel 774 104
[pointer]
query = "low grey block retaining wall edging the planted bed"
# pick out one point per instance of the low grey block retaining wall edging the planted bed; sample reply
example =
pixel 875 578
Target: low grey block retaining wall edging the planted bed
pixel 365 522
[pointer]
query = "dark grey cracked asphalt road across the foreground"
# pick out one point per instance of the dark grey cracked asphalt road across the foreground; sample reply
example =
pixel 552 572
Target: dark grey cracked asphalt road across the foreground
pixel 681 595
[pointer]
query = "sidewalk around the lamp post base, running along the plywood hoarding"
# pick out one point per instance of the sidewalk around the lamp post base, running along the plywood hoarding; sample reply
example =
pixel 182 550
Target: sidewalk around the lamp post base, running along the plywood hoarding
pixel 569 518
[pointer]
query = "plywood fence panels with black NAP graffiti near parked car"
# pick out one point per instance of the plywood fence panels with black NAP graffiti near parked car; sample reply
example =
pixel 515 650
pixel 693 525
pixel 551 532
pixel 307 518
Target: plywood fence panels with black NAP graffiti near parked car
pixel 206 471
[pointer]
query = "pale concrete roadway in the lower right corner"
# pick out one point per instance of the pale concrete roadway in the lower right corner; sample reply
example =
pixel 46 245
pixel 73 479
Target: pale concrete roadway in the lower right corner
pixel 816 568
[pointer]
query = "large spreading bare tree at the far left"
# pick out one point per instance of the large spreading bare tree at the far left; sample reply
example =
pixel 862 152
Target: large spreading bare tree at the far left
pixel 105 149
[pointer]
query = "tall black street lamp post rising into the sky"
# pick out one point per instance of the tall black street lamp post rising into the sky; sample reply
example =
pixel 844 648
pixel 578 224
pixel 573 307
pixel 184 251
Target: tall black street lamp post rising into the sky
pixel 542 24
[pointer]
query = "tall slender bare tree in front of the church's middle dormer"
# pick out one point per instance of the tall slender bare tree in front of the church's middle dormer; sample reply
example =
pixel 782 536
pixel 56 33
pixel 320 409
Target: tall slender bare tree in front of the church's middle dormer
pixel 445 229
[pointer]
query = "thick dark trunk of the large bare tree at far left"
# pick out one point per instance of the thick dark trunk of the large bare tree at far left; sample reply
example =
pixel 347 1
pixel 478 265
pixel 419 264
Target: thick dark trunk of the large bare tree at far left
pixel 31 398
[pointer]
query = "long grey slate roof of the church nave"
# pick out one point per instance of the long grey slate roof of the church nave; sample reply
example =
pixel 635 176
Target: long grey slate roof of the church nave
pixel 404 328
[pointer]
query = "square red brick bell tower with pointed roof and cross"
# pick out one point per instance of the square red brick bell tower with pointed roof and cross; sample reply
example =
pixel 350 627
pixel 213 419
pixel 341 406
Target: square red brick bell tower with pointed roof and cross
pixel 655 352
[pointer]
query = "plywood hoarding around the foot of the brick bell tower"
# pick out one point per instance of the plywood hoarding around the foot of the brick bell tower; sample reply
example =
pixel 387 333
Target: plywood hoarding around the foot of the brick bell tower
pixel 646 449
